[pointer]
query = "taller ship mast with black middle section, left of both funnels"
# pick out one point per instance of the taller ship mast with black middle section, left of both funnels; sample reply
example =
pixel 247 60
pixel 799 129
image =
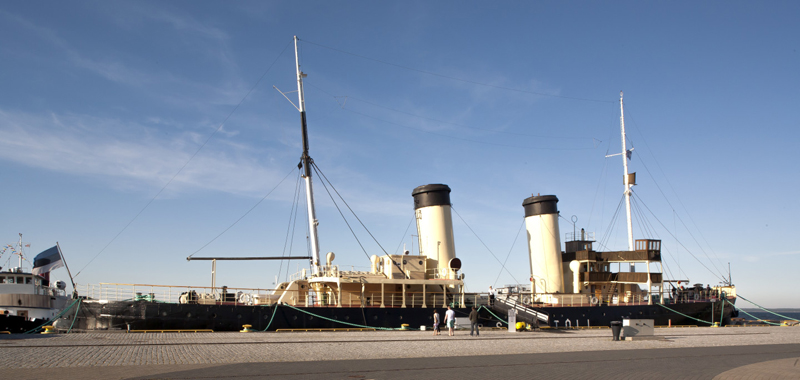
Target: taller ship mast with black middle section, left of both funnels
pixel 306 162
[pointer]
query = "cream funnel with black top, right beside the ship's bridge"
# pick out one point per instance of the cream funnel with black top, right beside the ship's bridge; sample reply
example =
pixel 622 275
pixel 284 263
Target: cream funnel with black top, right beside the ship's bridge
pixel 544 243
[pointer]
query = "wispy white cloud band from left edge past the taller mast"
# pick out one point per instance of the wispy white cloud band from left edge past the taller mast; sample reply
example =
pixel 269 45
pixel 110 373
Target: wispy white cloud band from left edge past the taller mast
pixel 135 157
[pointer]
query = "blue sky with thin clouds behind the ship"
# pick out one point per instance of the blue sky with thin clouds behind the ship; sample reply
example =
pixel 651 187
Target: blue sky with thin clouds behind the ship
pixel 103 103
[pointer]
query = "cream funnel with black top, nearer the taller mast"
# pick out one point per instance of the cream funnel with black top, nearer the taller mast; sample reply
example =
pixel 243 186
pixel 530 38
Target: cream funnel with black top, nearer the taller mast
pixel 435 226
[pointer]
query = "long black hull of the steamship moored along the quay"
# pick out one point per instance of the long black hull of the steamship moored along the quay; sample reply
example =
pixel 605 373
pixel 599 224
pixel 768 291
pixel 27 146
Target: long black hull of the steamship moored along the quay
pixel 144 315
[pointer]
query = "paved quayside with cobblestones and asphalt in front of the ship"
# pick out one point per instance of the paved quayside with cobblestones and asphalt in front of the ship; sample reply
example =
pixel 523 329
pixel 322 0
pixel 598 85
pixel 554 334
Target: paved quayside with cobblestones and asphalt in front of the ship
pixel 682 353
